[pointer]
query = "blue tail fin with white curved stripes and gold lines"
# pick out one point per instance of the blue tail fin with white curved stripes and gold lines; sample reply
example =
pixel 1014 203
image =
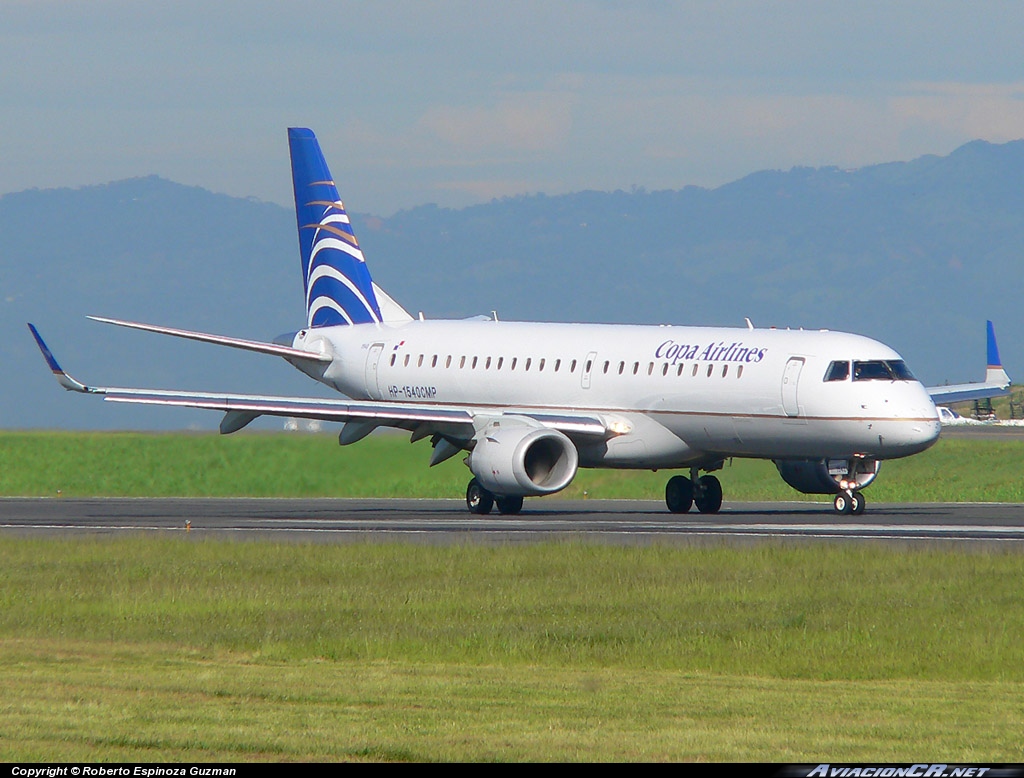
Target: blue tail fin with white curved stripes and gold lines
pixel 339 290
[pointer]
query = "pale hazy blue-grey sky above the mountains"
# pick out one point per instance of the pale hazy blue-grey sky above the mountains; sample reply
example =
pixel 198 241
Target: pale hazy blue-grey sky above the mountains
pixel 457 103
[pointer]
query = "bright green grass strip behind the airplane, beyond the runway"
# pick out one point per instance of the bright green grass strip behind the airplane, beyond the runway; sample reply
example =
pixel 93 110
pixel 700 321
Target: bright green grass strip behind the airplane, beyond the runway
pixel 386 465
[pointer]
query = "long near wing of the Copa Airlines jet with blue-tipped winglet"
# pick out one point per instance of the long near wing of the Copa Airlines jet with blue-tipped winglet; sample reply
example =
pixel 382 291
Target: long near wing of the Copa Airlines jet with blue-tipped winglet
pixel 240 410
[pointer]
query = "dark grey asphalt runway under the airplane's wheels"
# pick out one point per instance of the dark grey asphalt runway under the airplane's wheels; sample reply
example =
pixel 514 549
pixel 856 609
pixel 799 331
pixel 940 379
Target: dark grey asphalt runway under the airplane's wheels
pixel 445 522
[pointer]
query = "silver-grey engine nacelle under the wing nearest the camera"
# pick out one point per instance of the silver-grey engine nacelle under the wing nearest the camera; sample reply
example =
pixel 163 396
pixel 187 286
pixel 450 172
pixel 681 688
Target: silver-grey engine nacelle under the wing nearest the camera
pixel 523 461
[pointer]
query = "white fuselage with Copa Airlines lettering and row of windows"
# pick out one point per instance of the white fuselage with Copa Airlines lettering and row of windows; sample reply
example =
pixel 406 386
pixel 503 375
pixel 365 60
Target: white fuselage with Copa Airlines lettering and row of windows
pixel 680 396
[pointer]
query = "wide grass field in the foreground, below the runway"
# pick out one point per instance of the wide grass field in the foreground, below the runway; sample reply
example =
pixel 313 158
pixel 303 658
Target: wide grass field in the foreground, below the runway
pixel 181 649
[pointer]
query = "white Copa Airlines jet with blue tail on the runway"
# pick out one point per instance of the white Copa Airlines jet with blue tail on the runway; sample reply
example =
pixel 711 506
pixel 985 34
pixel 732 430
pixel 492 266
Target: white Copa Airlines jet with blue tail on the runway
pixel 533 403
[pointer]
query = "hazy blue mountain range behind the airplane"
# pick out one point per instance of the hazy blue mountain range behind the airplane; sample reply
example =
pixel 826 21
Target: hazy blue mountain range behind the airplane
pixel 917 254
